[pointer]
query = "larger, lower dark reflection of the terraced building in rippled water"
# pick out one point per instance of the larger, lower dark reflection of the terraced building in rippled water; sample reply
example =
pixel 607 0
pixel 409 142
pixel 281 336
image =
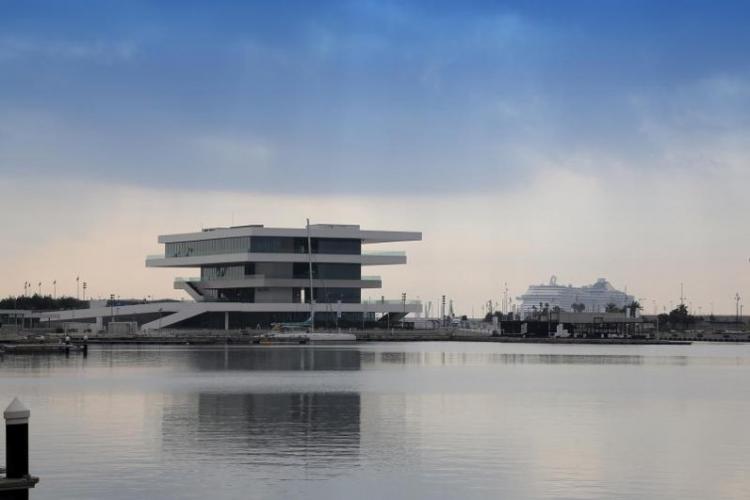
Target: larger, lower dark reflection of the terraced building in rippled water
pixel 291 431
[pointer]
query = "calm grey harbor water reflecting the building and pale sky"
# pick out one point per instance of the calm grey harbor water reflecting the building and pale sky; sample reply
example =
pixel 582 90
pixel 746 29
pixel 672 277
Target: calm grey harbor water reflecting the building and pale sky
pixel 391 420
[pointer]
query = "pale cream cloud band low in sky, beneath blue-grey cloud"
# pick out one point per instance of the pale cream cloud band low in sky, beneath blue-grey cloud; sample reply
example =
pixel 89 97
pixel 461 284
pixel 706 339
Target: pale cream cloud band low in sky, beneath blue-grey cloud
pixel 648 232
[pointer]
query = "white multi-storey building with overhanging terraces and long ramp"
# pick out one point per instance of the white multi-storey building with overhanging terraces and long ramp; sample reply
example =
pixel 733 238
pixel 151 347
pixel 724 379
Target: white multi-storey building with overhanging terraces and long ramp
pixel 248 276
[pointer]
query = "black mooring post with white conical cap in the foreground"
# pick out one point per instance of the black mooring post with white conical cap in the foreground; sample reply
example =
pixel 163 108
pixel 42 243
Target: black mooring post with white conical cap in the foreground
pixel 17 481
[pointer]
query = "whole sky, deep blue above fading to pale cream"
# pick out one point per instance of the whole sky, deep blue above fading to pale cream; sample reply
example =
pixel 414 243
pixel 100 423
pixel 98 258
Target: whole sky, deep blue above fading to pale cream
pixel 524 139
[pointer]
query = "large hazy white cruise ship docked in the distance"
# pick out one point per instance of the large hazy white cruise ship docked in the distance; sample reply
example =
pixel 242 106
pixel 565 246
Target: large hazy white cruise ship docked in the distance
pixel 594 298
